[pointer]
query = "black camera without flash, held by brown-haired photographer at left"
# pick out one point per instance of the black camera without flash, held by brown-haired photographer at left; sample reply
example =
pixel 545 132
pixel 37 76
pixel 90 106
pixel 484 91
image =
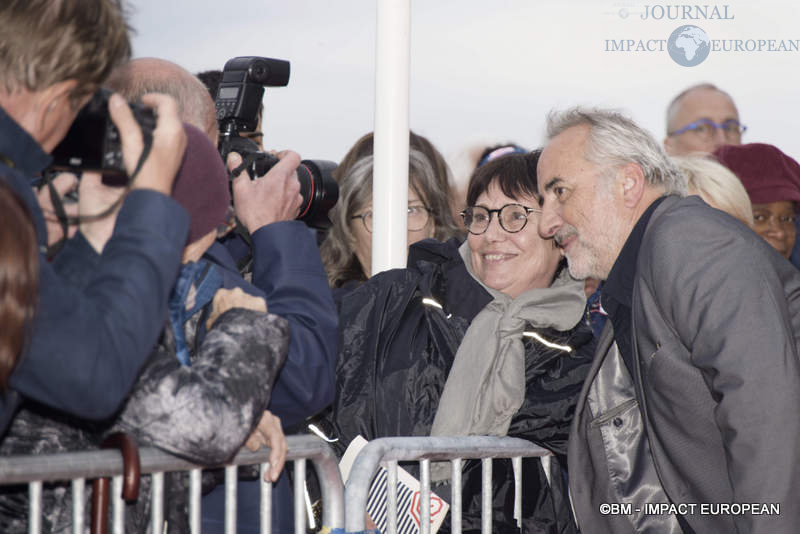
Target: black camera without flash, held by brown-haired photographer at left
pixel 93 143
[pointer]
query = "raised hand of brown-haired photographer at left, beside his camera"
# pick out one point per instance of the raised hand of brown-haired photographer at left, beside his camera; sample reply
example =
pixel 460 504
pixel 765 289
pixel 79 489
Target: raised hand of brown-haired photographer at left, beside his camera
pixel 169 141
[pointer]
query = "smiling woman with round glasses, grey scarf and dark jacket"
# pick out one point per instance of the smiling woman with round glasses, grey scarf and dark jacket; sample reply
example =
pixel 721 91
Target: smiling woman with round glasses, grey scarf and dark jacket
pixel 481 337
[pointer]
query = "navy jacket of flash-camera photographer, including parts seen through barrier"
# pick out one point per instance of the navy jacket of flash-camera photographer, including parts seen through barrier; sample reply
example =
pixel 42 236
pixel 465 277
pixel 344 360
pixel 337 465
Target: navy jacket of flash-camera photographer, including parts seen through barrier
pixel 288 273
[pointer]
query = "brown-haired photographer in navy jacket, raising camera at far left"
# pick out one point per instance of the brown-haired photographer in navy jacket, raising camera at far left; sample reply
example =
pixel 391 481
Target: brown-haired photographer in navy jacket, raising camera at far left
pixel 86 347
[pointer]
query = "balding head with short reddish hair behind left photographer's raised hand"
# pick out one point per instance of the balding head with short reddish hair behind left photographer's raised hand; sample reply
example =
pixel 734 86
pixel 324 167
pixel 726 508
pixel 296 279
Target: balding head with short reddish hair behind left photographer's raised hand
pixel 153 75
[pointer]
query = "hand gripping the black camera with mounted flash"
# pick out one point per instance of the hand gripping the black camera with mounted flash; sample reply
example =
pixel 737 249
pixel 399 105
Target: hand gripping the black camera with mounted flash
pixel 271 198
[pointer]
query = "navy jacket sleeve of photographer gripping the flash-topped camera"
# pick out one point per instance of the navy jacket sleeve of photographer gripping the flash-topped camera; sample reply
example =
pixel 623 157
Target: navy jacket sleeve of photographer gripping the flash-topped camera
pixel 288 273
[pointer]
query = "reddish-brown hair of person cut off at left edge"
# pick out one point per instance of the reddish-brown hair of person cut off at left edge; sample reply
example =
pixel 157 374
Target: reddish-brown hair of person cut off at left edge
pixel 19 278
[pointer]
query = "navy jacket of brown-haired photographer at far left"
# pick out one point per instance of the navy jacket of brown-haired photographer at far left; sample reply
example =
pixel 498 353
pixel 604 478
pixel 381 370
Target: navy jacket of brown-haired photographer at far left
pixel 86 347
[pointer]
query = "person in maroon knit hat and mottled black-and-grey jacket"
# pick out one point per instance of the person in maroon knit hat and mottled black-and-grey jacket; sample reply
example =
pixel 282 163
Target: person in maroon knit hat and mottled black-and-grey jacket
pixel 203 392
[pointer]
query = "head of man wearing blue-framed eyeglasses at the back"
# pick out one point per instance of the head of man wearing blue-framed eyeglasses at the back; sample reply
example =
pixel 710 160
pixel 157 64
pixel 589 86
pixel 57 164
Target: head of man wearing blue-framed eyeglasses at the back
pixel 701 119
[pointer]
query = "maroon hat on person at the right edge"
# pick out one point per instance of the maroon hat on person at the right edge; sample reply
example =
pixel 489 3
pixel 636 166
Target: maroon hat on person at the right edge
pixel 767 174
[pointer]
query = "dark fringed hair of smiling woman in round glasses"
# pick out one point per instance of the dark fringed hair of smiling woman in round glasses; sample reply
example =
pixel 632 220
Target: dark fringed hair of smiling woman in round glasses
pixel 514 173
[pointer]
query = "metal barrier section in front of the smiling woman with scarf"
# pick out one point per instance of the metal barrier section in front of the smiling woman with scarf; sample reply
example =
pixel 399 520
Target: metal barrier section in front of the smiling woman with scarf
pixel 389 451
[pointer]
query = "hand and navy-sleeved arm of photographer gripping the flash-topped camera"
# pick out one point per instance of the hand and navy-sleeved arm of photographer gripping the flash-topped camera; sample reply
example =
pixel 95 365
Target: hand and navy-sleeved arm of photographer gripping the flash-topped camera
pixel 287 266
